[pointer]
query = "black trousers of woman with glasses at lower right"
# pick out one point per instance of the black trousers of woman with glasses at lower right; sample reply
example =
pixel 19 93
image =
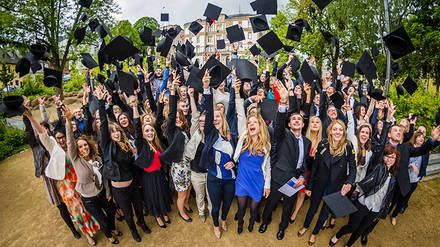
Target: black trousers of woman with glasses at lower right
pixel 357 224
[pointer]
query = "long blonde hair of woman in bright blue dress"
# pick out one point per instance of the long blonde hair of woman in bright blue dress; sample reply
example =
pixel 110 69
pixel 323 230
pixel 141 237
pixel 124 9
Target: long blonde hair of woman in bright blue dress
pixel 262 142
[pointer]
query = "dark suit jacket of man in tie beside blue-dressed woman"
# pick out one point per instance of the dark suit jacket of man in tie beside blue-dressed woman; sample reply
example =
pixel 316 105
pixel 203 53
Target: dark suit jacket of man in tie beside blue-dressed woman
pixel 287 153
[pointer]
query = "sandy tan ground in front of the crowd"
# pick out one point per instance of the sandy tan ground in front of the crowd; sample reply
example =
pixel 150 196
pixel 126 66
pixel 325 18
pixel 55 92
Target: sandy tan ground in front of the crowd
pixel 27 219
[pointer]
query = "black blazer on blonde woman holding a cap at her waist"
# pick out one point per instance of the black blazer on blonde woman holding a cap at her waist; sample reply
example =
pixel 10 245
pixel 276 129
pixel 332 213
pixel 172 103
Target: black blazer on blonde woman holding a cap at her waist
pixel 322 170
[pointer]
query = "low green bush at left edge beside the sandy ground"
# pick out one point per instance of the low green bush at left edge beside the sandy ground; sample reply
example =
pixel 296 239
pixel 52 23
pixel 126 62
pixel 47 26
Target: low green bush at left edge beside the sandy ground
pixel 13 140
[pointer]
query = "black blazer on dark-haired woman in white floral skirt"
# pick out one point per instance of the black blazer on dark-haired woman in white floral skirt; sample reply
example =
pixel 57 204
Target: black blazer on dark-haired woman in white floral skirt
pixel 176 138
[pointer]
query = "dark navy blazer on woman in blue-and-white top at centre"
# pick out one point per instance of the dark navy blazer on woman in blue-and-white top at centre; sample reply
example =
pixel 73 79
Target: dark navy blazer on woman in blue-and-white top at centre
pixel 211 135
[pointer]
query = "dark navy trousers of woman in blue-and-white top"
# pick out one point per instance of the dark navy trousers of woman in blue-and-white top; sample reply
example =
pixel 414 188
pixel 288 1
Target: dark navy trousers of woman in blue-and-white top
pixel 220 190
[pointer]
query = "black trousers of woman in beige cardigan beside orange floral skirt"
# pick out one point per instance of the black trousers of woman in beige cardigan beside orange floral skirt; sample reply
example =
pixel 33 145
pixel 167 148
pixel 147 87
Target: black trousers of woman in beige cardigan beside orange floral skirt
pixel 96 206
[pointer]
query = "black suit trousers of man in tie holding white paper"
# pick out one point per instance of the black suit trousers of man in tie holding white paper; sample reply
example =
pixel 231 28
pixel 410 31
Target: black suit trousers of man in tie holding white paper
pixel 271 203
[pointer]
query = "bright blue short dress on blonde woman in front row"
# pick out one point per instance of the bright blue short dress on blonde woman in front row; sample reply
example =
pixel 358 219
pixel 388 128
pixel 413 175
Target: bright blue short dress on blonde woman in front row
pixel 250 178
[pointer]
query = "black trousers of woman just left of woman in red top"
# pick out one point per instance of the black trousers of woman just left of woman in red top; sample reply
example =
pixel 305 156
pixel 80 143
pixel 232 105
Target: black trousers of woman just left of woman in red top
pixel 126 198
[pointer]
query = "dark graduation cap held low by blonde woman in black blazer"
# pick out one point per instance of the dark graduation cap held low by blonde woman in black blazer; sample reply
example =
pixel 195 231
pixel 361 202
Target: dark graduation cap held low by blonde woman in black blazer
pixel 339 205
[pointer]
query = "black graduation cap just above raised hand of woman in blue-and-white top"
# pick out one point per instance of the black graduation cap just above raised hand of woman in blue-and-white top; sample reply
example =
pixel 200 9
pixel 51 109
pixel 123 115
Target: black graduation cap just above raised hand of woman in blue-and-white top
pixel 217 70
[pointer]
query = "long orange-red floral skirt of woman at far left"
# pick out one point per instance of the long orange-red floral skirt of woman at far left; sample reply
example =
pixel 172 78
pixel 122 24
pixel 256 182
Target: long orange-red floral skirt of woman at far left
pixel 85 222
